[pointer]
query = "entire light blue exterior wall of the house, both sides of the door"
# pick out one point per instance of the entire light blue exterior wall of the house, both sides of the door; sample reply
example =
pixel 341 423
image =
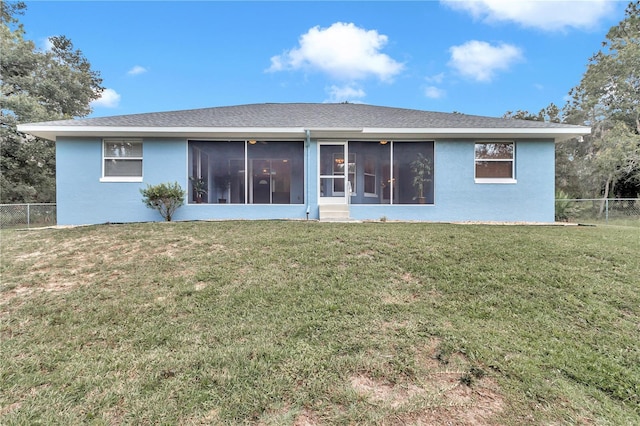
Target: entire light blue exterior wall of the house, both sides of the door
pixel 83 199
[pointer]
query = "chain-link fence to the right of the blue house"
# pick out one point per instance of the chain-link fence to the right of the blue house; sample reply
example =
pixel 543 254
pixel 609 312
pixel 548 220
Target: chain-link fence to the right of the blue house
pixel 622 211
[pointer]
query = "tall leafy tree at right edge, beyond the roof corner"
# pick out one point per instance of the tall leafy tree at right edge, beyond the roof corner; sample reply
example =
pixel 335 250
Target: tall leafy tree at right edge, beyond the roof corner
pixel 608 99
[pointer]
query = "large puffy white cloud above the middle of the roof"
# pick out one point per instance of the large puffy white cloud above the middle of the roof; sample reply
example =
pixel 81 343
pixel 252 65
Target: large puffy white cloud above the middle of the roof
pixel 343 51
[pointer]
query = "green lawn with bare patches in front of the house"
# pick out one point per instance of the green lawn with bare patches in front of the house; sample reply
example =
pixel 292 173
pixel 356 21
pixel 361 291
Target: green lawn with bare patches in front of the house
pixel 306 323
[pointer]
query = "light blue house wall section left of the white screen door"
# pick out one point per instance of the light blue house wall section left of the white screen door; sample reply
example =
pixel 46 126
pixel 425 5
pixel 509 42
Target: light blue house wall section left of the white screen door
pixel 83 199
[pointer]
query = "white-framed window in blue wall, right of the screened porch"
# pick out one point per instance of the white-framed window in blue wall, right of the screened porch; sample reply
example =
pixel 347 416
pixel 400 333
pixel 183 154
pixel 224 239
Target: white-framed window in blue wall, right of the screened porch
pixel 494 162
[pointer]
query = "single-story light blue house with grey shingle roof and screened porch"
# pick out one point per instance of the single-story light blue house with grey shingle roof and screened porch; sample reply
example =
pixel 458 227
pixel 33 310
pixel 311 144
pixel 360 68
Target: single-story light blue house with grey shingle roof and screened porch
pixel 315 161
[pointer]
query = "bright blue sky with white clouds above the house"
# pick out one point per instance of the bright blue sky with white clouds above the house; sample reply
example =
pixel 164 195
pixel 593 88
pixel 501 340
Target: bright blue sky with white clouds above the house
pixel 481 57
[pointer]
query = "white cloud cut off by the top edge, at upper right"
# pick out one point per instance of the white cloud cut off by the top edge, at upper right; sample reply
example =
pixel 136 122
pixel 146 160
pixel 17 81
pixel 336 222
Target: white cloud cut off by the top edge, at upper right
pixel 548 15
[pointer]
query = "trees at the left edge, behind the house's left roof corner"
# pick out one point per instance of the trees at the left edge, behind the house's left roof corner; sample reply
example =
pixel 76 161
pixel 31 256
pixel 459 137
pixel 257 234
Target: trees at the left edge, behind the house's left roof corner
pixel 35 86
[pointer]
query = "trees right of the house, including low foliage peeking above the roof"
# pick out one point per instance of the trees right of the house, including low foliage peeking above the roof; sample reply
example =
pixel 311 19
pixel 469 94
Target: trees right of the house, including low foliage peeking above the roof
pixel 607 162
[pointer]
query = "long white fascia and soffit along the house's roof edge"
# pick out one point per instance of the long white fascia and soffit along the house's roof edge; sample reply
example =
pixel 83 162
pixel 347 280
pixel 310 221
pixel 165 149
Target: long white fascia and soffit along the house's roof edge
pixel 53 132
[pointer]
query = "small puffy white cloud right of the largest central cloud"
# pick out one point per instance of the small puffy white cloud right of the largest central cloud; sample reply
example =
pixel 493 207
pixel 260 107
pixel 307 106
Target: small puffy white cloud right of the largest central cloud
pixel 480 61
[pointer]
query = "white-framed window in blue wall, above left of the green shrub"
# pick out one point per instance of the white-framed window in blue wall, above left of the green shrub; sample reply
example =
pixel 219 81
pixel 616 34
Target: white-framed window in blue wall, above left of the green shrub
pixel 122 160
